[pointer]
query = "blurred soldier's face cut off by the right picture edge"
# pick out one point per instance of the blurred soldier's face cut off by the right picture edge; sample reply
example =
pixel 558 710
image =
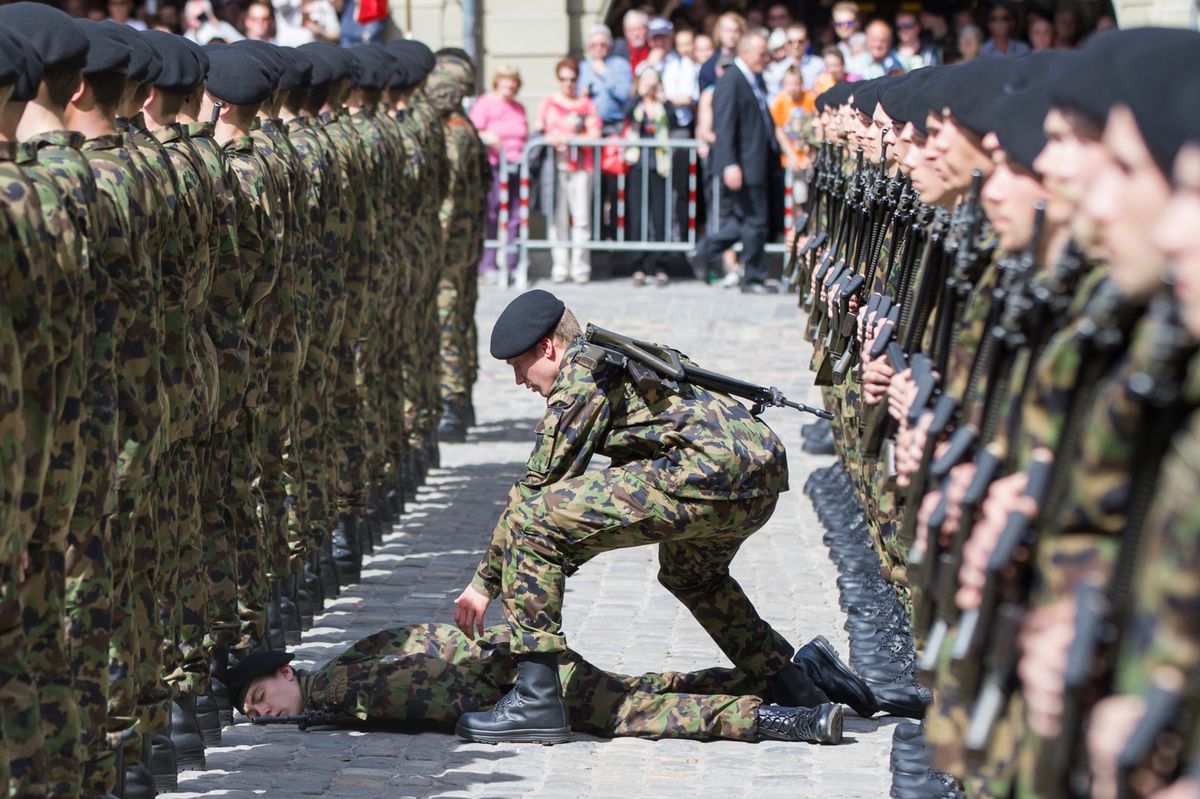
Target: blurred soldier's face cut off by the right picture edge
pixel 1175 236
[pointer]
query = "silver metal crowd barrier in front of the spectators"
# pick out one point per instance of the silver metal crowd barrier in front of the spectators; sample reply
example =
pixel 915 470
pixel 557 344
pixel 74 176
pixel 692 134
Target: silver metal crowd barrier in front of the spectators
pixel 526 244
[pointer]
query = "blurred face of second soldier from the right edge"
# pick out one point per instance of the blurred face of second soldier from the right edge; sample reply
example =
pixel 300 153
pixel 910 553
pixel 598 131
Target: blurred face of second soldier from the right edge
pixel 1125 203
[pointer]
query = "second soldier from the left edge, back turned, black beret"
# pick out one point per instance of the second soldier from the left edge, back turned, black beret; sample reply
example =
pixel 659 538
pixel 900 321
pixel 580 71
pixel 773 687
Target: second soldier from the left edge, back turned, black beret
pixel 69 538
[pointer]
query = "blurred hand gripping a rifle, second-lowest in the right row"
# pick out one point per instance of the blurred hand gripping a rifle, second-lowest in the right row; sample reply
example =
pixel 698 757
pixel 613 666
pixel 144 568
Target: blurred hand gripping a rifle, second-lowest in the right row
pixel 1047 634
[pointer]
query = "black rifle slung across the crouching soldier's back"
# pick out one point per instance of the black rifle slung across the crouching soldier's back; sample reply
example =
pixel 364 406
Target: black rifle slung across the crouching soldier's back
pixel 668 364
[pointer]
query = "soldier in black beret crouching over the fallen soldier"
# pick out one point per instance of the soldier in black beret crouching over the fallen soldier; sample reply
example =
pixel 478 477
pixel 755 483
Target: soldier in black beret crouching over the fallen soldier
pixel 692 471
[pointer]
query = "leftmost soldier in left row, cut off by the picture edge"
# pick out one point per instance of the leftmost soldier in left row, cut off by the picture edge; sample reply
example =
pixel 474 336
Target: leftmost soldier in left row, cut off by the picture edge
pixel 31 328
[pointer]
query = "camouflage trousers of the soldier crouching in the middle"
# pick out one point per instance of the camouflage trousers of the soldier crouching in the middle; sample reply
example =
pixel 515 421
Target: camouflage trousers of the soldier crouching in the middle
pixel 556 532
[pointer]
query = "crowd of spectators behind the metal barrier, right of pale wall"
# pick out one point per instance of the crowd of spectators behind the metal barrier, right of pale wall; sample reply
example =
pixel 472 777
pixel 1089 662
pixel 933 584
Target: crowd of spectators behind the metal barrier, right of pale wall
pixel 658 77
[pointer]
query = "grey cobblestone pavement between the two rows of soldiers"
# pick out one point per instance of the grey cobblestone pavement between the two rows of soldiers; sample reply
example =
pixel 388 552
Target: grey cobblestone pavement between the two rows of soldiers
pixel 616 614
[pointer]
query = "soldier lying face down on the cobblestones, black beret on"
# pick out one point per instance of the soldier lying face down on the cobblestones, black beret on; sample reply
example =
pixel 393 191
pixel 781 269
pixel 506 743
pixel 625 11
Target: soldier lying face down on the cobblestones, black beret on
pixel 430 675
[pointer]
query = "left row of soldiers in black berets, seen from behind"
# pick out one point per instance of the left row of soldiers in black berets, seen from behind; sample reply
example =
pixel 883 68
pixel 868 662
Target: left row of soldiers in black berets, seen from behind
pixel 238 290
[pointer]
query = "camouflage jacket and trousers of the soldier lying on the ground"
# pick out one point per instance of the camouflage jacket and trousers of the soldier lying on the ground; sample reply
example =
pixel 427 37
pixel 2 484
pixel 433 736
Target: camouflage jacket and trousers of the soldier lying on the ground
pixel 435 674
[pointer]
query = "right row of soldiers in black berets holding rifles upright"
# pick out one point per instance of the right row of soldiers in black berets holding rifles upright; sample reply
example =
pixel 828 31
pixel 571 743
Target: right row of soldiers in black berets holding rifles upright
pixel 1001 279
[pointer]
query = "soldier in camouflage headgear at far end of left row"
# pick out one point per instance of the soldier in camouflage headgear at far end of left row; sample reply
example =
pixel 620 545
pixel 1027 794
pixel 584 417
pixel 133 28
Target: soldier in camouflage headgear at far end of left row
pixel 467 187
